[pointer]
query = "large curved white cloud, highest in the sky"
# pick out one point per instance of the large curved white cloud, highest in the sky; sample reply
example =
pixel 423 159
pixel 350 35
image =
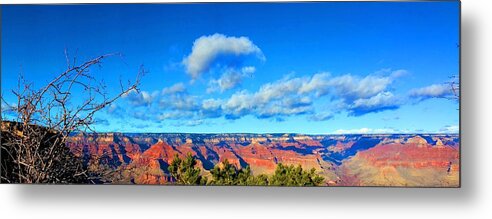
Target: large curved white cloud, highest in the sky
pixel 207 49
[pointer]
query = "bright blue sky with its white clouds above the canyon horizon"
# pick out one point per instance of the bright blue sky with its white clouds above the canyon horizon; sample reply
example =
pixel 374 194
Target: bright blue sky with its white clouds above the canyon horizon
pixel 259 68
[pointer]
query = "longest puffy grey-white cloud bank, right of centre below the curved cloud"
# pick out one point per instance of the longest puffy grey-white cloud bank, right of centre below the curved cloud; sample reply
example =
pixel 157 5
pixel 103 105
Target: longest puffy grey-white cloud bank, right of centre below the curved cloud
pixel 357 95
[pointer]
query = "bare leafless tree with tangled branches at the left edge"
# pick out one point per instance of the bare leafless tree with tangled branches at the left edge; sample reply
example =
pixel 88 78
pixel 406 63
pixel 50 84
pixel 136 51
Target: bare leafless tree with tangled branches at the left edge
pixel 33 145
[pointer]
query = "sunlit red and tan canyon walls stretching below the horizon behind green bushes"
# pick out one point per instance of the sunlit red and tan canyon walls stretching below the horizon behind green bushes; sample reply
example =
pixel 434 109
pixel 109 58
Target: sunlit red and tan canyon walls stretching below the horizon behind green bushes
pixel 423 160
